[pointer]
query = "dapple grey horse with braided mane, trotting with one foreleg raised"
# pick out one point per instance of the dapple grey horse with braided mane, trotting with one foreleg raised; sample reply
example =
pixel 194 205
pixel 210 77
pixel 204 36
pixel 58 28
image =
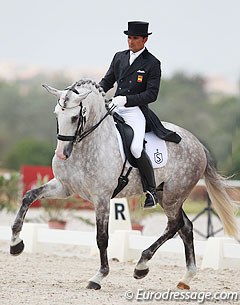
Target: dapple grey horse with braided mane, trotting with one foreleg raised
pixel 87 162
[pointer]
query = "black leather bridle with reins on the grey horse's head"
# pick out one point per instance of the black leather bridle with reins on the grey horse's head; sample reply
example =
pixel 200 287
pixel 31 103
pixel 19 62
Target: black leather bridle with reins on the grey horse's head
pixel 80 134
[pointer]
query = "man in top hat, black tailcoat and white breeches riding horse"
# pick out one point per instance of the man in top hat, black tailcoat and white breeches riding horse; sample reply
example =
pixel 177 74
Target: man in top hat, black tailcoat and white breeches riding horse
pixel 137 73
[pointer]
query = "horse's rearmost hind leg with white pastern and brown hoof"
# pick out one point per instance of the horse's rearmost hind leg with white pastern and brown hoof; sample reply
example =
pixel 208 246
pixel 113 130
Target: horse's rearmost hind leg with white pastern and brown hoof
pixel 186 233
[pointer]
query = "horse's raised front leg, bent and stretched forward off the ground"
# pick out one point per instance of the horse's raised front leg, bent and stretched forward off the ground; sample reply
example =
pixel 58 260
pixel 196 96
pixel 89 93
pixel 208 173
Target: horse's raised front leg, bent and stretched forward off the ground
pixel 52 189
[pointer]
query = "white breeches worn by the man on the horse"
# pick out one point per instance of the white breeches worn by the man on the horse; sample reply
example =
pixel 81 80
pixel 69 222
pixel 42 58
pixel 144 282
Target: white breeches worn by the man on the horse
pixel 134 117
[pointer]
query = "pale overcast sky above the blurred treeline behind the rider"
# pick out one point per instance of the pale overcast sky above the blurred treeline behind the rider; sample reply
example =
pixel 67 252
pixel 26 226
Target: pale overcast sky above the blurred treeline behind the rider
pixel 194 36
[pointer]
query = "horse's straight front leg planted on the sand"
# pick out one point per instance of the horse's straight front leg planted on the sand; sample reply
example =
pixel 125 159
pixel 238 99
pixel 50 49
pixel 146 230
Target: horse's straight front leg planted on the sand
pixel 102 219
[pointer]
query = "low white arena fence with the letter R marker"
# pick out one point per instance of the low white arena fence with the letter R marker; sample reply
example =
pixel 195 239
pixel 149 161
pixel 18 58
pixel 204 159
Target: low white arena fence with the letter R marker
pixel 126 244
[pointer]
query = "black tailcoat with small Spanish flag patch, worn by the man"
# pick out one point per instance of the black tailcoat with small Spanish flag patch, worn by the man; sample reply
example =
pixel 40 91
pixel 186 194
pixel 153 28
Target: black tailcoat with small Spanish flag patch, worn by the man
pixel 140 83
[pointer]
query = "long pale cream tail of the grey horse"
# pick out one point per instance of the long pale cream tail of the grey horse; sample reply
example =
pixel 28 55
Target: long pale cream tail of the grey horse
pixel 220 195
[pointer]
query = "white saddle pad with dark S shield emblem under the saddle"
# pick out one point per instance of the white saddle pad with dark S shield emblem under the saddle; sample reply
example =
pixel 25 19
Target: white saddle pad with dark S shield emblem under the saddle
pixel 155 148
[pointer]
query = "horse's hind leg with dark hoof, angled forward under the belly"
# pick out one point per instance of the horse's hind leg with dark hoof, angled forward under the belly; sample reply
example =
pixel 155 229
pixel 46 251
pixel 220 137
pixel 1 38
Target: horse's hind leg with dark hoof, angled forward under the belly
pixel 173 226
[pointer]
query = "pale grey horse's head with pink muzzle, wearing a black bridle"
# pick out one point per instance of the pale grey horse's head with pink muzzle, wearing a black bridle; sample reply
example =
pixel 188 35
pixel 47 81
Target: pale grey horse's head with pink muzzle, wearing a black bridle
pixel 70 112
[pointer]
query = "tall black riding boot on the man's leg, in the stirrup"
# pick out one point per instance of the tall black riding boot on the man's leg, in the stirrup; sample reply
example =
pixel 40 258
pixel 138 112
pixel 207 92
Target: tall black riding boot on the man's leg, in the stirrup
pixel 144 165
